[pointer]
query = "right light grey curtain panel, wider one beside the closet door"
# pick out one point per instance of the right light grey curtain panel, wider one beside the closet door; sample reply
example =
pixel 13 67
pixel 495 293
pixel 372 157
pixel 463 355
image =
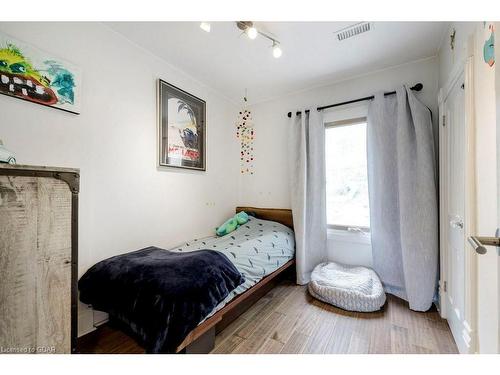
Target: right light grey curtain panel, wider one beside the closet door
pixel 403 197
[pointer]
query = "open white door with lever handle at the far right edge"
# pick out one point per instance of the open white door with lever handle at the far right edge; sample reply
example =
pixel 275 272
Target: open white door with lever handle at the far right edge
pixel 486 198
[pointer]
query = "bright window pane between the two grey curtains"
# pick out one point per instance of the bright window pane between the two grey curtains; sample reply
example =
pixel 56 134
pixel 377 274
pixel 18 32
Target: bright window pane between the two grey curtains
pixel 346 175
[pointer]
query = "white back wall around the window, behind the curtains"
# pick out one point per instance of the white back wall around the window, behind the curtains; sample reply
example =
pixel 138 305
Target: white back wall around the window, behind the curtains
pixel 268 186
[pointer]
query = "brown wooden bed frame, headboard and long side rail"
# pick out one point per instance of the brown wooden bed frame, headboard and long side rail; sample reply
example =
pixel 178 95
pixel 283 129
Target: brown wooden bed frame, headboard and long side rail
pixel 202 338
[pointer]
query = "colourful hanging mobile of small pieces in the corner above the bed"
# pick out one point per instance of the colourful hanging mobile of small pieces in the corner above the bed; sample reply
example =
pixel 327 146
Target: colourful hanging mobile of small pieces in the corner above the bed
pixel 245 132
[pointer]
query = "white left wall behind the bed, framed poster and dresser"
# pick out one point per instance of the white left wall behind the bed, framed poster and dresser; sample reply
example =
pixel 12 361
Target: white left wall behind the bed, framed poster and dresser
pixel 125 202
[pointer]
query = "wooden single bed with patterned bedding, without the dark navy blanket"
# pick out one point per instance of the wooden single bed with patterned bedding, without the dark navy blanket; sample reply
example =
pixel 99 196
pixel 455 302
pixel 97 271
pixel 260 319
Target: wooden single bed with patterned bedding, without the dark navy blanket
pixel 262 250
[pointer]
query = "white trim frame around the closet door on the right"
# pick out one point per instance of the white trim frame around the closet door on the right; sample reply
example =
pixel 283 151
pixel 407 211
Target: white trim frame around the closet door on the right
pixel 467 339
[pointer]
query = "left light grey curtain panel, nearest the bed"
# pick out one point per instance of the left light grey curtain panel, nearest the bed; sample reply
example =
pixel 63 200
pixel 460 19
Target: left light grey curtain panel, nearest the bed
pixel 308 196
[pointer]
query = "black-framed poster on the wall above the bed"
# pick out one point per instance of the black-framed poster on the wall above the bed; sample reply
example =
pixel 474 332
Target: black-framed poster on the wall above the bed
pixel 181 128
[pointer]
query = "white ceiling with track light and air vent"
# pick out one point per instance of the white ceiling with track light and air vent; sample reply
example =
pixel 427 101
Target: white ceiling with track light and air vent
pixel 229 62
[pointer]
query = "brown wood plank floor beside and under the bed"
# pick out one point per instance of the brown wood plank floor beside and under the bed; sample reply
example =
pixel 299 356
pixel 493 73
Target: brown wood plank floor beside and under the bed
pixel 288 320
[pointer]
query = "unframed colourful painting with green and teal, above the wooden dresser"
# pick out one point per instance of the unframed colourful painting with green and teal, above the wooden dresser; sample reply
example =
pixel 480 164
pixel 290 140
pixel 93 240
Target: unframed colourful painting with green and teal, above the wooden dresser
pixel 30 74
